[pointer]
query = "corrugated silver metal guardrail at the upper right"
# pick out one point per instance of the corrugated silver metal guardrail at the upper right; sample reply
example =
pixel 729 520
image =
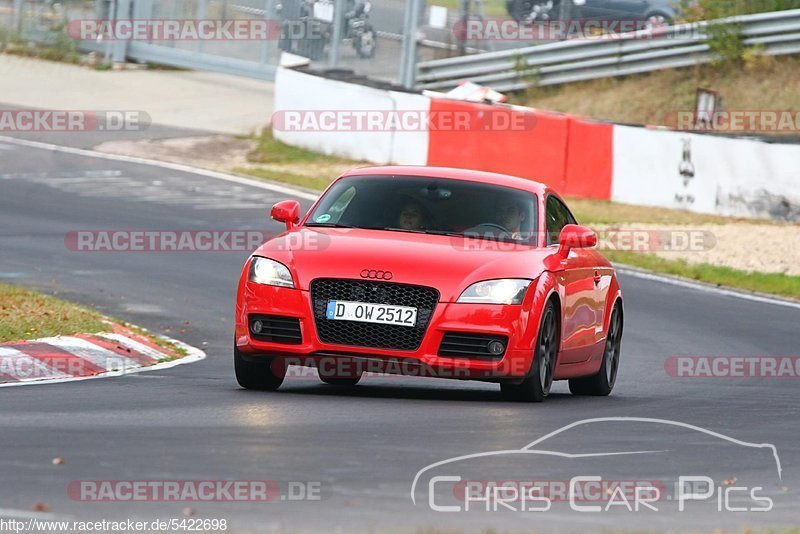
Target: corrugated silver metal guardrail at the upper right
pixel 585 59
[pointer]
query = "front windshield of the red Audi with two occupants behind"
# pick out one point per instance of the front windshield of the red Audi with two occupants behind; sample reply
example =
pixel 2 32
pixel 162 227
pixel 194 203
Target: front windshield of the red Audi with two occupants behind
pixel 431 206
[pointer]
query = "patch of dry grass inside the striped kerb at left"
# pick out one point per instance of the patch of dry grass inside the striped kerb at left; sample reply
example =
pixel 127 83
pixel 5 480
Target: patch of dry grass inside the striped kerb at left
pixel 26 314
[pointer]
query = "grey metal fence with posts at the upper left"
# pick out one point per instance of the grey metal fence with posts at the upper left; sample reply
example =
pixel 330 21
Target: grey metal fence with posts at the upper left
pixel 44 22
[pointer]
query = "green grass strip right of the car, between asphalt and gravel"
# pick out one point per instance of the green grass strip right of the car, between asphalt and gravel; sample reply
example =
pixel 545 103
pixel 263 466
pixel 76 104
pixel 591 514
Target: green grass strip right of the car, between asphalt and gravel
pixel 771 283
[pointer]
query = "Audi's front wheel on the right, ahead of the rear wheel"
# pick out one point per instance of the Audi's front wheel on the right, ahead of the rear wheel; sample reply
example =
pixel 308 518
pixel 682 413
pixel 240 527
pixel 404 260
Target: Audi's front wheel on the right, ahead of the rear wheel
pixel 536 386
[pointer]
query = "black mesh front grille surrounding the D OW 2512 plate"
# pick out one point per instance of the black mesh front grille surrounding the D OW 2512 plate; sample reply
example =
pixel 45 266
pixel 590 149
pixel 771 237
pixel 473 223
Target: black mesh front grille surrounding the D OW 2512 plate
pixel 379 336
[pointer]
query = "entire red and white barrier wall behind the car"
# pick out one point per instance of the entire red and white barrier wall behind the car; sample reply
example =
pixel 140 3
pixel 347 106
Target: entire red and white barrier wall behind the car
pixel 575 155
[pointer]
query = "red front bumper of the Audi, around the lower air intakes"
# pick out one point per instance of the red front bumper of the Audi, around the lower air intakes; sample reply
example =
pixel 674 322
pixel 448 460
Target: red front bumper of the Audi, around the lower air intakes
pixel 518 323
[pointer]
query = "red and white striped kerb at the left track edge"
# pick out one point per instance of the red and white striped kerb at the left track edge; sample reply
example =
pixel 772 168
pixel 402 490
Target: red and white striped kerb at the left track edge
pixel 83 356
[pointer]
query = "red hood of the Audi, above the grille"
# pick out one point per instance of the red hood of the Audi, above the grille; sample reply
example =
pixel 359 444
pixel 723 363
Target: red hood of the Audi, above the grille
pixel 449 264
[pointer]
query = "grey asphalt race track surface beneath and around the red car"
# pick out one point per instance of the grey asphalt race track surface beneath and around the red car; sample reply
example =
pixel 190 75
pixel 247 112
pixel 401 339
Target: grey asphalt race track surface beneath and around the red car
pixel 363 446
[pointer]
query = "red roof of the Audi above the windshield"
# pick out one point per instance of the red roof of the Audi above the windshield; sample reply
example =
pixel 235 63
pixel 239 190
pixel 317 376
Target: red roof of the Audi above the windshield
pixel 453 173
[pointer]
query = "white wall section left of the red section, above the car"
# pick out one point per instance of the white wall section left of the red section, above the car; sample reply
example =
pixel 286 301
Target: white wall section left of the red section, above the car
pixel 298 93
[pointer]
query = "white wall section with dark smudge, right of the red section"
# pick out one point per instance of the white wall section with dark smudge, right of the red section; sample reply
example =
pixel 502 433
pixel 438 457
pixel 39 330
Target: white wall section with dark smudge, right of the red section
pixel 705 173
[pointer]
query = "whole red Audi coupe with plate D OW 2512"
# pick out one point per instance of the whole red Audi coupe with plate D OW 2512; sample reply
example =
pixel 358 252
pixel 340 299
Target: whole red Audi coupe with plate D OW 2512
pixel 431 271
